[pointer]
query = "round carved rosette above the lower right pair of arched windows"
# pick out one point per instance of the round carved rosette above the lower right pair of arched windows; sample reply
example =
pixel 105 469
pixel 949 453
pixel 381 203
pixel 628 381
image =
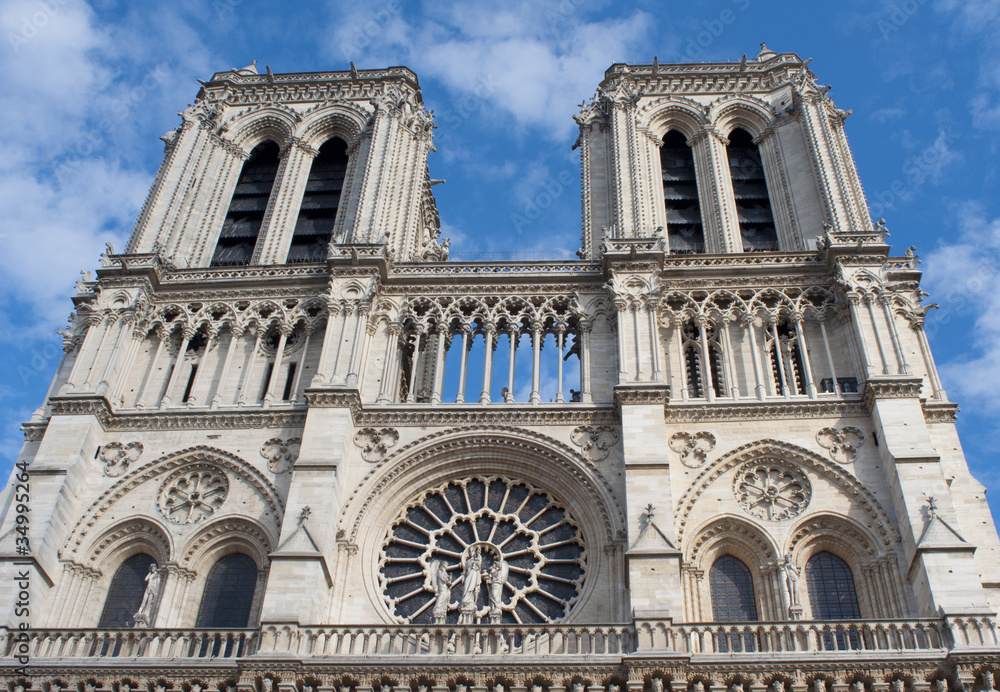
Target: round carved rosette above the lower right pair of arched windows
pixel 771 489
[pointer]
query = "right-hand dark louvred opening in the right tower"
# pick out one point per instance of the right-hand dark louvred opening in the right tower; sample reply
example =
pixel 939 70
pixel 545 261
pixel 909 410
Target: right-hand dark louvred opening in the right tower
pixel 753 207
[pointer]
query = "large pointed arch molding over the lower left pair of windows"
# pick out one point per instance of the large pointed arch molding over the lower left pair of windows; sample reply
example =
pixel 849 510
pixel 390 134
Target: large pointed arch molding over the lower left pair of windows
pixel 157 468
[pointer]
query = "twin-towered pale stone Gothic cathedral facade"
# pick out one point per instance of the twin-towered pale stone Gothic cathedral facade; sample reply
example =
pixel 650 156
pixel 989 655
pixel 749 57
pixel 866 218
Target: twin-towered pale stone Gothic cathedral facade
pixel 292 447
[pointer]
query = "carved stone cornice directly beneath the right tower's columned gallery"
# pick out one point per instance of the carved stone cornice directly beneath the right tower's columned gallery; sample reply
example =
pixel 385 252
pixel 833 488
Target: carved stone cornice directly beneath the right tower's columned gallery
pixel 769 410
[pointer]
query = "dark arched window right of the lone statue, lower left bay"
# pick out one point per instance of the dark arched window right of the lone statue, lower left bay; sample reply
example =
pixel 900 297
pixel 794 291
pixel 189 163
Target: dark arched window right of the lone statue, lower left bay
pixel 229 593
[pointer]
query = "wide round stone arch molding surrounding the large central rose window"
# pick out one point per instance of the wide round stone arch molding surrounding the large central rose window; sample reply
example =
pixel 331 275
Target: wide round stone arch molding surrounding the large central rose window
pixel 453 454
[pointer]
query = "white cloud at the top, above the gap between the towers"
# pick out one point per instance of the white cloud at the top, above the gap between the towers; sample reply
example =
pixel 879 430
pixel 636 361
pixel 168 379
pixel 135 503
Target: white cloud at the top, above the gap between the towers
pixel 529 60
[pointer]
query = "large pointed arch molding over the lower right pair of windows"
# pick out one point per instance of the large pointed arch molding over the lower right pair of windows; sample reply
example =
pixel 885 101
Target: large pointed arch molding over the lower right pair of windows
pixel 879 521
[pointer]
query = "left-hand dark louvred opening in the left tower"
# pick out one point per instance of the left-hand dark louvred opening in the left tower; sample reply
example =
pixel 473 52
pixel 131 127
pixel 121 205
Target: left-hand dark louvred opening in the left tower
pixel 246 211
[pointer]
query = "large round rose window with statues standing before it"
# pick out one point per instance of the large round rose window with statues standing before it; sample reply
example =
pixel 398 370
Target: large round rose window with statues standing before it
pixel 482 550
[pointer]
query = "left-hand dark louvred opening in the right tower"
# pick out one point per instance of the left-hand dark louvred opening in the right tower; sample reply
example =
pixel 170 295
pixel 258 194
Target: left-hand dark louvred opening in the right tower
pixel 680 195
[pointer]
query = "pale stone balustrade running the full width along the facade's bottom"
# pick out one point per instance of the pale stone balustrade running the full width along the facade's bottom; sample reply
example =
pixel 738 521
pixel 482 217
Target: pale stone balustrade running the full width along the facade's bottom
pixel 751 639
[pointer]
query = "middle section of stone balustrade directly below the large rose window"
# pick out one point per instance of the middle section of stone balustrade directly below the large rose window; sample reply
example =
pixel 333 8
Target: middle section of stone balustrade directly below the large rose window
pixel 449 640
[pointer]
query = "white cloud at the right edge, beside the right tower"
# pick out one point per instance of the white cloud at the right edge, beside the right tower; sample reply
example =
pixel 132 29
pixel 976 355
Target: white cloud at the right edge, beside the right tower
pixel 964 278
